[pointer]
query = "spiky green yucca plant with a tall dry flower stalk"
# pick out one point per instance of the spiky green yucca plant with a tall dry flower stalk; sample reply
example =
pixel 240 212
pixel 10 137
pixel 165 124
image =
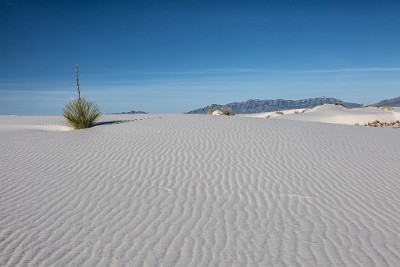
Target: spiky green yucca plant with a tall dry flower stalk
pixel 81 113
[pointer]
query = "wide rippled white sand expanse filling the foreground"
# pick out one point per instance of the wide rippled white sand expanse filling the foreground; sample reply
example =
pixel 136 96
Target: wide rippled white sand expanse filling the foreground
pixel 196 190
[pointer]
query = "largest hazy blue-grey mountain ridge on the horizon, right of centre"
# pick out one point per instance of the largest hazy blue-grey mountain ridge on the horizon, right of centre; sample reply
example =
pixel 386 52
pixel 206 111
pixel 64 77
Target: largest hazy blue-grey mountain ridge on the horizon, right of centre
pixel 257 106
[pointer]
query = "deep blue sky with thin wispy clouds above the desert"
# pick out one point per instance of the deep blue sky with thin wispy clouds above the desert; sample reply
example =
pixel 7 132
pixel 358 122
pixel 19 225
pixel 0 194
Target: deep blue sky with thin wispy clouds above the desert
pixel 175 56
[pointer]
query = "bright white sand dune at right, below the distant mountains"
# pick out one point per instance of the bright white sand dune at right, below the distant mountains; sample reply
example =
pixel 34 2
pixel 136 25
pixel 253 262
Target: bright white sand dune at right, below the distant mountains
pixel 330 113
